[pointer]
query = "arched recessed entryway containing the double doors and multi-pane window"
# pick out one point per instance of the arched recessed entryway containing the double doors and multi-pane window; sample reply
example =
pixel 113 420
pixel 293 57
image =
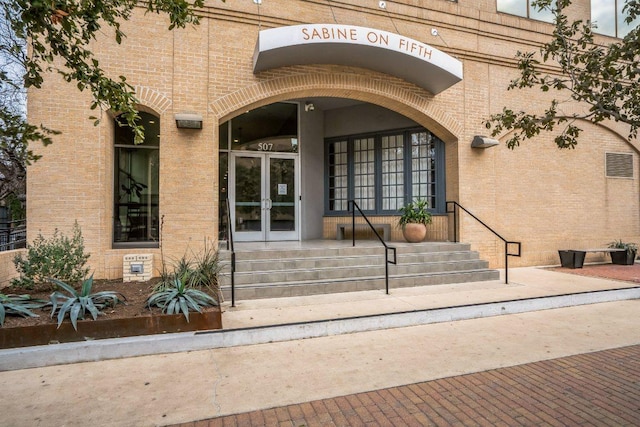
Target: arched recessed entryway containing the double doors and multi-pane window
pixel 288 168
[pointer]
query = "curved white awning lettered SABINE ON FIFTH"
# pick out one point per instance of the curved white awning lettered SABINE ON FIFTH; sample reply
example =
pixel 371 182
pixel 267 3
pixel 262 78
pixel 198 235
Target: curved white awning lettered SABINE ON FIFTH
pixel 363 47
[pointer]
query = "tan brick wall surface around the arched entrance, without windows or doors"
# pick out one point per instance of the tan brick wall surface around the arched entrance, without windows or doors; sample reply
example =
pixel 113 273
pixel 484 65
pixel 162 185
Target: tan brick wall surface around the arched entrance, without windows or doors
pixel 546 198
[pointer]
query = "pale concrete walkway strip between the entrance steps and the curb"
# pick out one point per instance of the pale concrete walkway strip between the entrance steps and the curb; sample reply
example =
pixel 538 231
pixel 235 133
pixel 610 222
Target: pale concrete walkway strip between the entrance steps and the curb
pixel 524 283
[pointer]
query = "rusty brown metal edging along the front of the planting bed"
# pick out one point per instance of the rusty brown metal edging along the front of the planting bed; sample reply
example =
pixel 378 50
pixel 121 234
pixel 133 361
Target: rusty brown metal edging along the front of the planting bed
pixel 109 328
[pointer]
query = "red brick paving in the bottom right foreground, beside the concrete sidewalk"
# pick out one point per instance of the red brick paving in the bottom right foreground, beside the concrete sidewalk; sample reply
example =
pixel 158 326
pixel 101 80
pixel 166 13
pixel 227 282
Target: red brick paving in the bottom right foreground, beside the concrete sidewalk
pixel 596 389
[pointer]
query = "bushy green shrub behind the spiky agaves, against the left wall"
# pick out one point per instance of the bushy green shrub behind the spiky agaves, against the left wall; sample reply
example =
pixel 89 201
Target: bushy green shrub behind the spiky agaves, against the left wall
pixel 59 256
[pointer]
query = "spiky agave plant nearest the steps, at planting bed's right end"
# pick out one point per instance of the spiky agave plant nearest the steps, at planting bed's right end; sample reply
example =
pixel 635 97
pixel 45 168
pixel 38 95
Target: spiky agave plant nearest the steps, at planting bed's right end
pixel 177 297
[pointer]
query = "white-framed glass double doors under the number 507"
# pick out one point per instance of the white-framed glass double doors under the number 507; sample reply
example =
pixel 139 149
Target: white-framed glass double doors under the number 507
pixel 264 196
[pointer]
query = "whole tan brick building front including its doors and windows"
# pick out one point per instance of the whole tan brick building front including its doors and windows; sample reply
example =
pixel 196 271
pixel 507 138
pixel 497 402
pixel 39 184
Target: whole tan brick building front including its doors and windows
pixel 545 198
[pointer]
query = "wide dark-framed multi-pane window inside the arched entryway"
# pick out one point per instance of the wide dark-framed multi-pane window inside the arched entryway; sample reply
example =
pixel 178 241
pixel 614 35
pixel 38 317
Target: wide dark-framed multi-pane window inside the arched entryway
pixel 383 171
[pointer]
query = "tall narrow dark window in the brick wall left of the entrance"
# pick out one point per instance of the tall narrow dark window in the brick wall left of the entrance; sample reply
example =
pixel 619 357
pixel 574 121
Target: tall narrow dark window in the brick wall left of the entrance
pixel 136 210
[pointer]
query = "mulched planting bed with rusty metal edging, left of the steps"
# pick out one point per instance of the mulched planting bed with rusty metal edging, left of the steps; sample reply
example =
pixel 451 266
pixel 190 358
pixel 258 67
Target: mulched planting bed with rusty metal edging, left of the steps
pixel 129 319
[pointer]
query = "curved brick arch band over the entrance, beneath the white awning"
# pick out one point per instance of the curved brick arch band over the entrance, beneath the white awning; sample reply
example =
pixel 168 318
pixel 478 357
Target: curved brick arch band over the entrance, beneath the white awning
pixel 419 107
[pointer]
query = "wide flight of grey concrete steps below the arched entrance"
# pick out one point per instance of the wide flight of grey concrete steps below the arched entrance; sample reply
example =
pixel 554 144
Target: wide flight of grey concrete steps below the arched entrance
pixel 270 272
